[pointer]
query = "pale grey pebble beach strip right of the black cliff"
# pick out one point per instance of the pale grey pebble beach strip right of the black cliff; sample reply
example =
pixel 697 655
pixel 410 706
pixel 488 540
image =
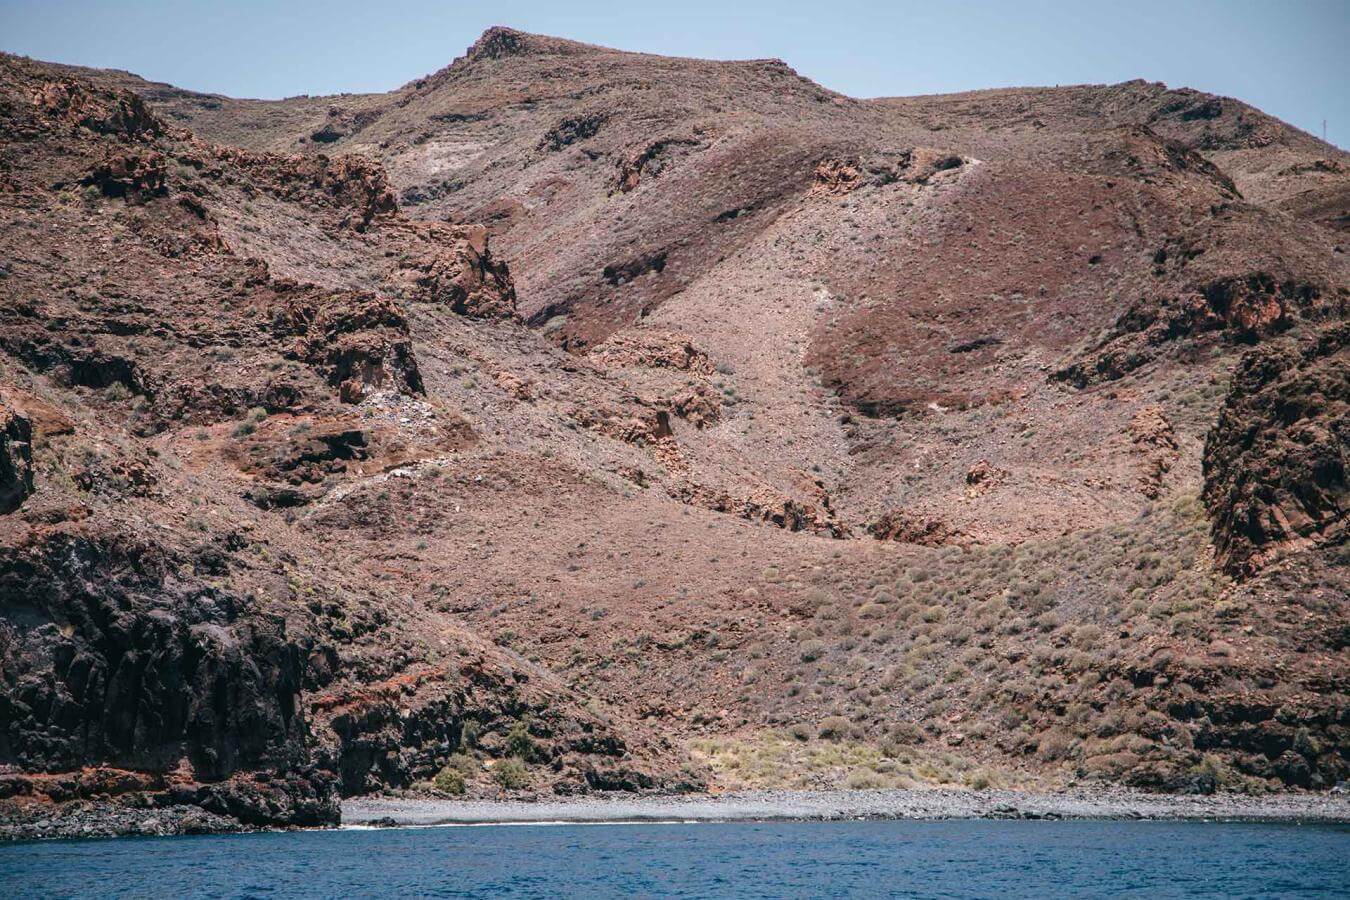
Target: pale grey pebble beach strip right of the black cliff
pixel 828 806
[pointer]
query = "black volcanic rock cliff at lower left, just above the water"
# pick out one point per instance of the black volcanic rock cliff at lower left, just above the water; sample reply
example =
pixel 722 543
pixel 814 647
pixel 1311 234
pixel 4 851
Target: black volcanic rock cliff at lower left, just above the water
pixel 111 659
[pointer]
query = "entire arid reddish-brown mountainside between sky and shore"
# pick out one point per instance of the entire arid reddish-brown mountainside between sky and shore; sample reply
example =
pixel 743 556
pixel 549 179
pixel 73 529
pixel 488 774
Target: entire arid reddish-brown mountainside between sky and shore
pixel 578 420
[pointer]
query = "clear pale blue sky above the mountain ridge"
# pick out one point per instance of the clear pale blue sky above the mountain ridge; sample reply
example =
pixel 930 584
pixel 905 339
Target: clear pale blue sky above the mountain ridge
pixel 1289 57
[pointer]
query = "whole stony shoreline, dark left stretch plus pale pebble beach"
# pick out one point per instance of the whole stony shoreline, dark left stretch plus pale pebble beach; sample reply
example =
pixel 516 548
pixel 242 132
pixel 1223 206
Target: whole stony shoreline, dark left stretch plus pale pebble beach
pixel 95 820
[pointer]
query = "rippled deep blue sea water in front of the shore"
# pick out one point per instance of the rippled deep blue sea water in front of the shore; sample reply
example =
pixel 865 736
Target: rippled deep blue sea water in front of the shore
pixel 753 860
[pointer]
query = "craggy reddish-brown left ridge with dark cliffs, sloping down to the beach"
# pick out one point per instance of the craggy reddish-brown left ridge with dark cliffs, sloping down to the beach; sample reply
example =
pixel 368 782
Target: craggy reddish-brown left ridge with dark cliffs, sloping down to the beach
pixel 163 644
